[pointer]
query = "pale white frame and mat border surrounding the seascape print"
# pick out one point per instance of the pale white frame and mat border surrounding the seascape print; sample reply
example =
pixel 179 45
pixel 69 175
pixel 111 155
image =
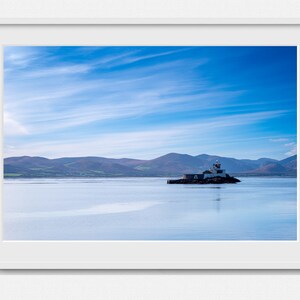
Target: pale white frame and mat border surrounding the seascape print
pixel 150 254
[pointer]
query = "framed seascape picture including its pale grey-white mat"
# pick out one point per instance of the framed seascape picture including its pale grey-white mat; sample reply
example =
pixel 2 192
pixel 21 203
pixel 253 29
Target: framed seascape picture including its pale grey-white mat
pixel 157 147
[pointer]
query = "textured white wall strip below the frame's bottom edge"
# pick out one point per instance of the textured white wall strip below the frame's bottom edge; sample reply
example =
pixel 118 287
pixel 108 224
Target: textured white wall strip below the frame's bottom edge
pixel 154 285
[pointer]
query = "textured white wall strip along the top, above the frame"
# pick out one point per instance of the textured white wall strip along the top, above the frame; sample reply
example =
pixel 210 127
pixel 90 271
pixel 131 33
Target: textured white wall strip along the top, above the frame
pixel 150 9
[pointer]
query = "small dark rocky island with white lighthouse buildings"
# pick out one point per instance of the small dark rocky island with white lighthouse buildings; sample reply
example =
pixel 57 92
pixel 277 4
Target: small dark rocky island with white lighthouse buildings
pixel 214 175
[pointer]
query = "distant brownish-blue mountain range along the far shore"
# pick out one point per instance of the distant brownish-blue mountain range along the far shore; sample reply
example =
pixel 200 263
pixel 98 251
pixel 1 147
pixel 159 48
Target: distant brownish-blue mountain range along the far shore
pixel 172 164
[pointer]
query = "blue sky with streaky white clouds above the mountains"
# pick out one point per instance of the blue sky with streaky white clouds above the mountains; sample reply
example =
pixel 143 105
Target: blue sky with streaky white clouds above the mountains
pixel 143 102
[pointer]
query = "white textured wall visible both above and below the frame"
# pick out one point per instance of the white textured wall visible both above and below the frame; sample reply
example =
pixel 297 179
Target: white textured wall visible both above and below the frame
pixel 149 284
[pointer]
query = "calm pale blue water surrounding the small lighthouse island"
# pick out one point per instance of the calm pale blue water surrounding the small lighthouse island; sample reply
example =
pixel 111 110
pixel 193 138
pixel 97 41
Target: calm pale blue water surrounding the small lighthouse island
pixel 149 209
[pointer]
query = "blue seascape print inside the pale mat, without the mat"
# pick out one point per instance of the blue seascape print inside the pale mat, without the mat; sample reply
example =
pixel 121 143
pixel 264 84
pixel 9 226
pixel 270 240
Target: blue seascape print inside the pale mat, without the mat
pixel 150 143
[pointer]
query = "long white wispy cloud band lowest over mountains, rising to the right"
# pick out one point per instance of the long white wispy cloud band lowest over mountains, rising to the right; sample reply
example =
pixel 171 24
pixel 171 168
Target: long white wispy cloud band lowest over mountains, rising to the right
pixel 147 143
